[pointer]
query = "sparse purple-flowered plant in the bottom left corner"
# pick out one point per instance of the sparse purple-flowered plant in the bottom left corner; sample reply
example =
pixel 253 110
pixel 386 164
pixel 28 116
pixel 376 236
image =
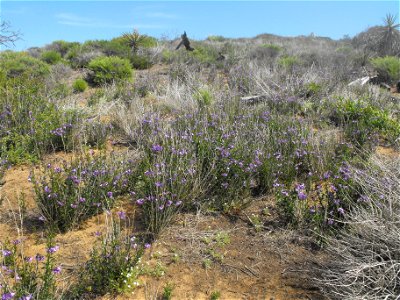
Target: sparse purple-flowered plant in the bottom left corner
pixel 24 277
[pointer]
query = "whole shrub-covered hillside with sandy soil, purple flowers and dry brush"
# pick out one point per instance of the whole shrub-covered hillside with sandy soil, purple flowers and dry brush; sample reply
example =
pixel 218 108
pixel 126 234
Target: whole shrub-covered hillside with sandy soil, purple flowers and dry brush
pixel 245 168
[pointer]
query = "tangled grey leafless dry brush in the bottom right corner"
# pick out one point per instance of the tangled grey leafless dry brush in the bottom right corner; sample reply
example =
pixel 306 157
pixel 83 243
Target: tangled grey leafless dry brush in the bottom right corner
pixel 365 260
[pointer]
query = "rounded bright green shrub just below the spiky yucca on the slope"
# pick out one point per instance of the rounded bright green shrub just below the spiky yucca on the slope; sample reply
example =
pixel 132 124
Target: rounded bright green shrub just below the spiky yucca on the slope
pixel 109 70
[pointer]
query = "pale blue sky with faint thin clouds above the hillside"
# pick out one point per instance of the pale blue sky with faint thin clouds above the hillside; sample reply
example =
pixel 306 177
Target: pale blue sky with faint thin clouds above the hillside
pixel 42 22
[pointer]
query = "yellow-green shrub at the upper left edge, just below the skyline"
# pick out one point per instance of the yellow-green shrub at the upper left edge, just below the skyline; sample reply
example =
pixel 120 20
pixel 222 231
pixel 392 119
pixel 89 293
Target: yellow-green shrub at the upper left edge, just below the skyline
pixel 20 64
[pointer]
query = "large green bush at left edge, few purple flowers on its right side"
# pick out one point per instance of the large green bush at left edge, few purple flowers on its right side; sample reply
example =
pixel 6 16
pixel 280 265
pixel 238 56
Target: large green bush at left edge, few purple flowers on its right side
pixel 30 125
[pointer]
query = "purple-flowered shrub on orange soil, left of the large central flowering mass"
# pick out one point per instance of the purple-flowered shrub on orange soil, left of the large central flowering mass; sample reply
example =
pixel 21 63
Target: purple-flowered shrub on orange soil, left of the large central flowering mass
pixel 69 194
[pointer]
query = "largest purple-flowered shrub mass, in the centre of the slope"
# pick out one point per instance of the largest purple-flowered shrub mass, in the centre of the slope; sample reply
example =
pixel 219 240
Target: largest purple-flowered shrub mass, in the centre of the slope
pixel 218 160
